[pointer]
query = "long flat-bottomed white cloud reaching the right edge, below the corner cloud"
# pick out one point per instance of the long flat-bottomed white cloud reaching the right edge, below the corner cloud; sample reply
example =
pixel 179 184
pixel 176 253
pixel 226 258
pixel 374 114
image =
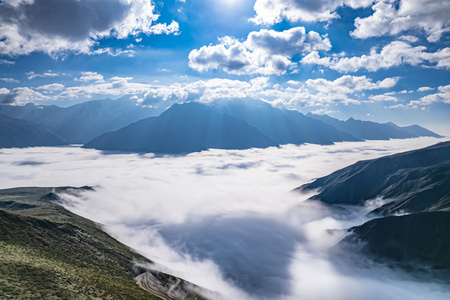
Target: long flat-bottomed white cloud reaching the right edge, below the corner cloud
pixel 394 54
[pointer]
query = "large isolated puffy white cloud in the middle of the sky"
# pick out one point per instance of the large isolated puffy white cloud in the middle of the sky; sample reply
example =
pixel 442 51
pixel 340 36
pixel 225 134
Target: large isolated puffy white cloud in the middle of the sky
pixel 264 51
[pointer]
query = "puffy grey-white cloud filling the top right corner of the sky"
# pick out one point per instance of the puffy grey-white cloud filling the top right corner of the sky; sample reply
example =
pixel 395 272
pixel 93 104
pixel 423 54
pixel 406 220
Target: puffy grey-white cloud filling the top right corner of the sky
pixel 391 18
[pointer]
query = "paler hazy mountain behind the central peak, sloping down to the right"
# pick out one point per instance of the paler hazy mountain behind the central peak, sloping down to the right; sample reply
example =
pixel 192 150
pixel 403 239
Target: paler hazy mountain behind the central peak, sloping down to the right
pixel 282 126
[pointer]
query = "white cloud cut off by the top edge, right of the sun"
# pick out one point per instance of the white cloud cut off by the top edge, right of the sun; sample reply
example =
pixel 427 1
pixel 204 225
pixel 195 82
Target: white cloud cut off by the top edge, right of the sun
pixel 270 12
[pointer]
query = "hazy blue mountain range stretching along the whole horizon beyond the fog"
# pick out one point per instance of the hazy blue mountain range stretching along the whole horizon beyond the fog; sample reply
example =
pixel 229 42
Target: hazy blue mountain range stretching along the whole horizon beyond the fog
pixel 122 125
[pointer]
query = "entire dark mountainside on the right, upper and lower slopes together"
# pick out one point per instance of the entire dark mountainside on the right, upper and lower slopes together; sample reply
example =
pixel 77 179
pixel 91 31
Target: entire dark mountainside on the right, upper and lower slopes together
pixel 412 226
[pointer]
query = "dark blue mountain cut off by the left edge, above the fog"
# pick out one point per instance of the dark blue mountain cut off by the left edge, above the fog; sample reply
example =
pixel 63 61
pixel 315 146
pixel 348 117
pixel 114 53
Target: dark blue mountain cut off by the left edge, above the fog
pixel 20 133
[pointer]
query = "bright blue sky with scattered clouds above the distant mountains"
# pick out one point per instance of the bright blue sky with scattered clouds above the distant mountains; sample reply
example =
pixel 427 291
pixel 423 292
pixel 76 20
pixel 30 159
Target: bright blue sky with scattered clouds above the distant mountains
pixel 381 60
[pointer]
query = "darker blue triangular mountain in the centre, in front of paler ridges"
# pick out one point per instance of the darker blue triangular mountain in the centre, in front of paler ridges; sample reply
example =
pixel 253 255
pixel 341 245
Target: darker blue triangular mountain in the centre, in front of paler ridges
pixel 184 128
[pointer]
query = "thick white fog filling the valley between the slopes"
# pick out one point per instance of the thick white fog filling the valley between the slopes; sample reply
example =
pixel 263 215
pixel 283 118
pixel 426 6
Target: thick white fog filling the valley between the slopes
pixel 226 220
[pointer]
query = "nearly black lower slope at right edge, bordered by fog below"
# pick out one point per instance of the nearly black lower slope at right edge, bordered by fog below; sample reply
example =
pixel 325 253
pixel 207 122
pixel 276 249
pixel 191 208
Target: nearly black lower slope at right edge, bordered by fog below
pixel 416 241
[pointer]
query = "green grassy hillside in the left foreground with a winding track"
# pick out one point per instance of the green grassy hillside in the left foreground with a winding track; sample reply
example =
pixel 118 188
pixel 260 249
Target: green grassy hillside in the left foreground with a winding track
pixel 48 252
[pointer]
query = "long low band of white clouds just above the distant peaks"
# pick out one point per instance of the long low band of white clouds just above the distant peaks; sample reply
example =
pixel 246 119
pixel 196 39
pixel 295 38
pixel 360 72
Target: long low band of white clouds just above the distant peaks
pixel 293 94
